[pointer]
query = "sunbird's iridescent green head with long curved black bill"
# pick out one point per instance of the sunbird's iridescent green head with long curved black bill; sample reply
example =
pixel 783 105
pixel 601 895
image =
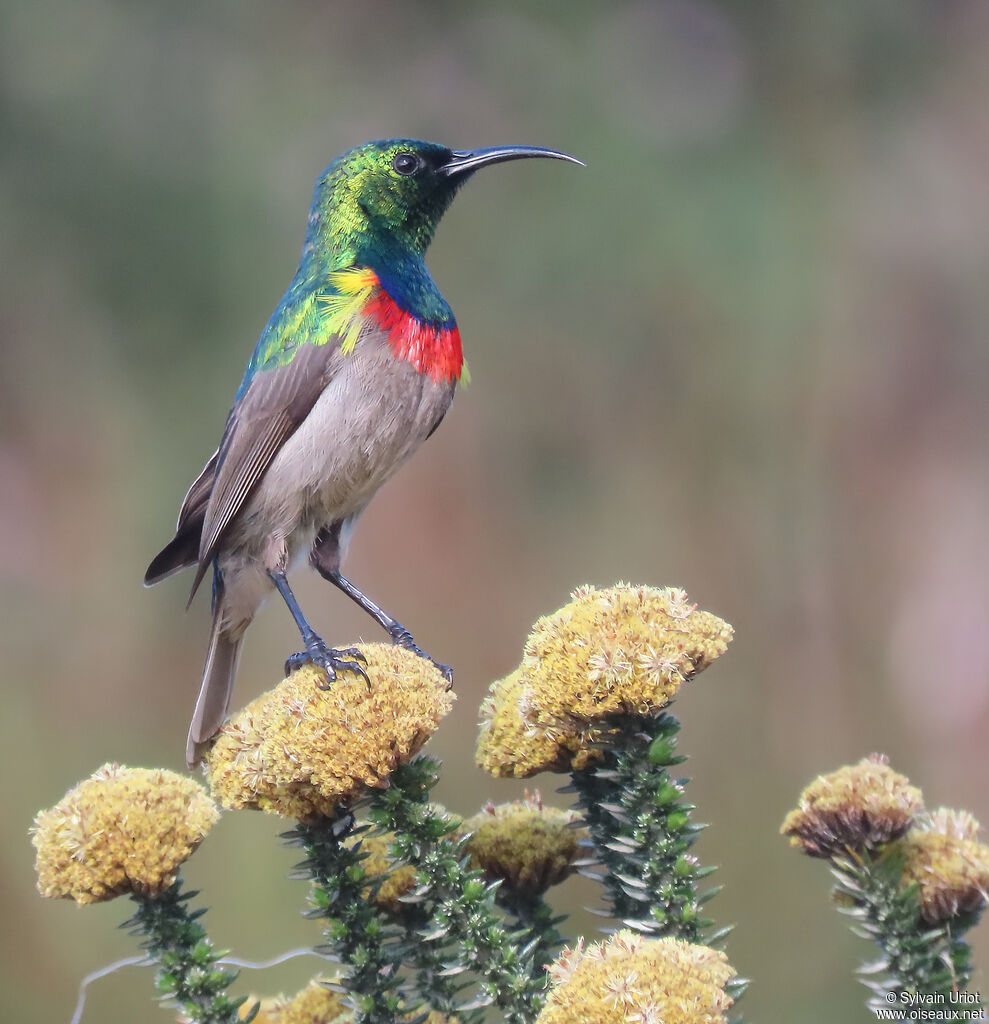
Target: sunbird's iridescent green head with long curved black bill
pixel 395 192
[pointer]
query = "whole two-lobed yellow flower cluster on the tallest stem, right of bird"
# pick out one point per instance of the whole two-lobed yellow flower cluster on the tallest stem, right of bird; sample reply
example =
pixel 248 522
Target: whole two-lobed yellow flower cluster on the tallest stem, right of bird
pixel 616 652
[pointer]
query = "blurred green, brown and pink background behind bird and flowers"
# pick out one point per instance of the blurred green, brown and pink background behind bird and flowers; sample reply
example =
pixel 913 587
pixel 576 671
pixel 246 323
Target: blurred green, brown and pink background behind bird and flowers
pixel 744 353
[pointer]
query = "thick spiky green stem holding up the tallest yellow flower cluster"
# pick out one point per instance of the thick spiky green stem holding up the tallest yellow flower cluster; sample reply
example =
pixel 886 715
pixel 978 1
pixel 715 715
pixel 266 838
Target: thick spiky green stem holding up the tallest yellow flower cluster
pixel 642 831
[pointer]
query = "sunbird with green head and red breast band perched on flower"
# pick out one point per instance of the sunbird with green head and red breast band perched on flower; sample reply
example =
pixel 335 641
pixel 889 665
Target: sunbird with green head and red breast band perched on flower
pixel 355 370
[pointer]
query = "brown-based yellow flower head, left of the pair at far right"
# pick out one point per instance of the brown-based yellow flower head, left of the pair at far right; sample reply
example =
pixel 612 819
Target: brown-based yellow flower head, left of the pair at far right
pixel 858 807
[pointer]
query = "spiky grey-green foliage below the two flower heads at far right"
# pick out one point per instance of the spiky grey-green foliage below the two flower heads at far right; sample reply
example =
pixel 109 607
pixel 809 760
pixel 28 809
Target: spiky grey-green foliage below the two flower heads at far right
pixel 917 959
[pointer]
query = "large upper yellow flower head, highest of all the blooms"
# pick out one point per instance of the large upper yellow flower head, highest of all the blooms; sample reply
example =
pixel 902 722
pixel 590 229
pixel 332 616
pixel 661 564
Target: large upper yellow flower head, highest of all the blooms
pixel 621 651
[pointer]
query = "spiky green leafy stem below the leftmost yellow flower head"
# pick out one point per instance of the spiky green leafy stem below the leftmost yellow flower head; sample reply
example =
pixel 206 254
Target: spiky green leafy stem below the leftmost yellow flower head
pixel 188 963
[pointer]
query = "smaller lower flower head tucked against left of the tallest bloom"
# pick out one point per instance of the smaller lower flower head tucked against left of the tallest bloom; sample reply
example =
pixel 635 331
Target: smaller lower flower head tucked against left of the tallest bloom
pixel 509 746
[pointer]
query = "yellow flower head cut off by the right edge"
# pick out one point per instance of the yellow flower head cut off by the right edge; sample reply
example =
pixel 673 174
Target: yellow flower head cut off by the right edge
pixel 950 867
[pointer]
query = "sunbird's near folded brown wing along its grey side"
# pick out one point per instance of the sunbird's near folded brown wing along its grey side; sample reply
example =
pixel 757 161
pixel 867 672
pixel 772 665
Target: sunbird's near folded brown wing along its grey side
pixel 268 414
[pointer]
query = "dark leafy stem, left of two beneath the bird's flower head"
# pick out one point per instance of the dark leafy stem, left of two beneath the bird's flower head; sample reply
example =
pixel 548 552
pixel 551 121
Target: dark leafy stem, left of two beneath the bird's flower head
pixel 357 932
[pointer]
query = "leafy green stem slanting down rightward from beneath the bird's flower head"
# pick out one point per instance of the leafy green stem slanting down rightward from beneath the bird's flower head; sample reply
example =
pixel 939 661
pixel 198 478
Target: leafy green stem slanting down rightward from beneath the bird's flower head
pixel 464 917
